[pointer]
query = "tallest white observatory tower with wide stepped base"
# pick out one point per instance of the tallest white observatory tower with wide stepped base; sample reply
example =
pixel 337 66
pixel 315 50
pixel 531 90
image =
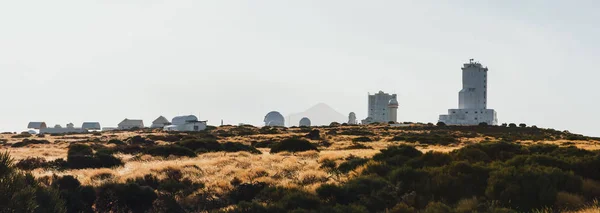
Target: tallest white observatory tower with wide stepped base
pixel 472 99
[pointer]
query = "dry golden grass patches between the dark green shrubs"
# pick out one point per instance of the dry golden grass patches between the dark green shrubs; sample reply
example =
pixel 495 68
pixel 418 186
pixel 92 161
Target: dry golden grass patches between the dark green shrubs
pixel 216 170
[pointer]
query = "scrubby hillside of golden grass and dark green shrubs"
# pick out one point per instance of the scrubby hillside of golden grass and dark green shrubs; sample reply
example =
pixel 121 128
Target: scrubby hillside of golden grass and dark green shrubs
pixel 337 168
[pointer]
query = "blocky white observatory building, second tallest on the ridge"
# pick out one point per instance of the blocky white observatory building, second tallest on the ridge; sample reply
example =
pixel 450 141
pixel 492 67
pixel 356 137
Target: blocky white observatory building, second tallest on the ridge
pixel 383 108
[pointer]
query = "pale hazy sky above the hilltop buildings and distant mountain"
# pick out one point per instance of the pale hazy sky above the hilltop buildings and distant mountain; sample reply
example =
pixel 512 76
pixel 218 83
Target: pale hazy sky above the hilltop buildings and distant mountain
pixel 80 60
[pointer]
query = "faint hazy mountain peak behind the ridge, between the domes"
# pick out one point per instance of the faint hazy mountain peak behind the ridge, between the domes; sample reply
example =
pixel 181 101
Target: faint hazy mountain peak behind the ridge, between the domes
pixel 320 114
